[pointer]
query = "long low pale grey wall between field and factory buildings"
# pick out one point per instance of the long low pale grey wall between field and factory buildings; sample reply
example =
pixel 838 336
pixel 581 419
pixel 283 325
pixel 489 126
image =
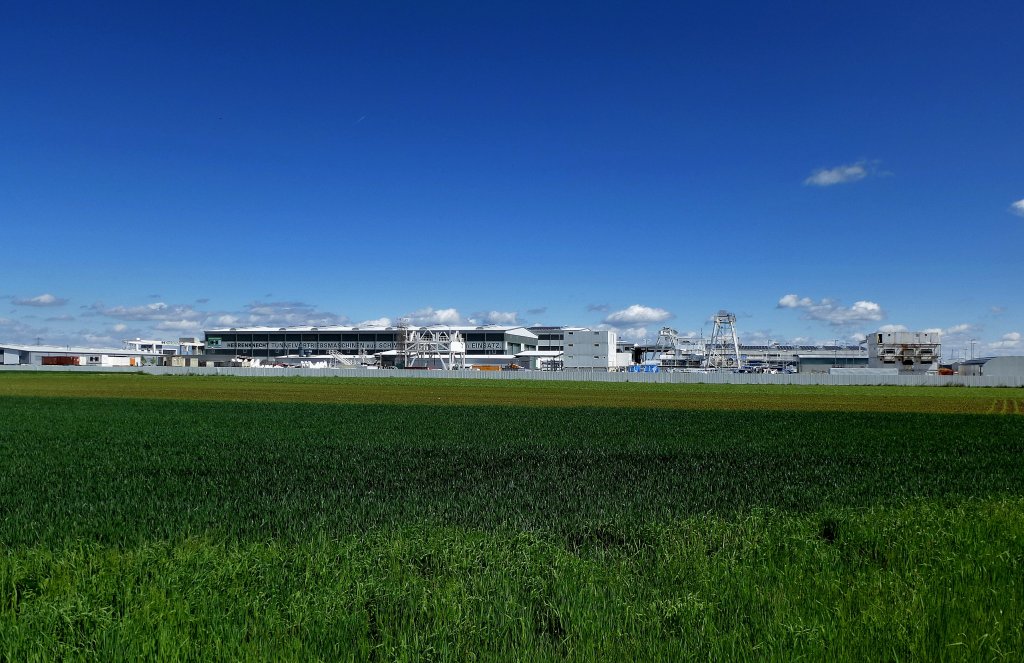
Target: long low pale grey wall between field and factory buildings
pixel 584 376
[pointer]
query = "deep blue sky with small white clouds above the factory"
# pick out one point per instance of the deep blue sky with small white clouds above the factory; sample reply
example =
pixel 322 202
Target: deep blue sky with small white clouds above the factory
pixel 822 171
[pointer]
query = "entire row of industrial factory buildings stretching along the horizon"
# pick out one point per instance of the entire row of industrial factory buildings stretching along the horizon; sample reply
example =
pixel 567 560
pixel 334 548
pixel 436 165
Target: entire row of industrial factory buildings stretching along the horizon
pixel 504 347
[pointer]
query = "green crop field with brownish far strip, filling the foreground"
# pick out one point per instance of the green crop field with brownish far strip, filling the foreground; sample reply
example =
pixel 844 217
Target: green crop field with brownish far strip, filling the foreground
pixel 227 519
